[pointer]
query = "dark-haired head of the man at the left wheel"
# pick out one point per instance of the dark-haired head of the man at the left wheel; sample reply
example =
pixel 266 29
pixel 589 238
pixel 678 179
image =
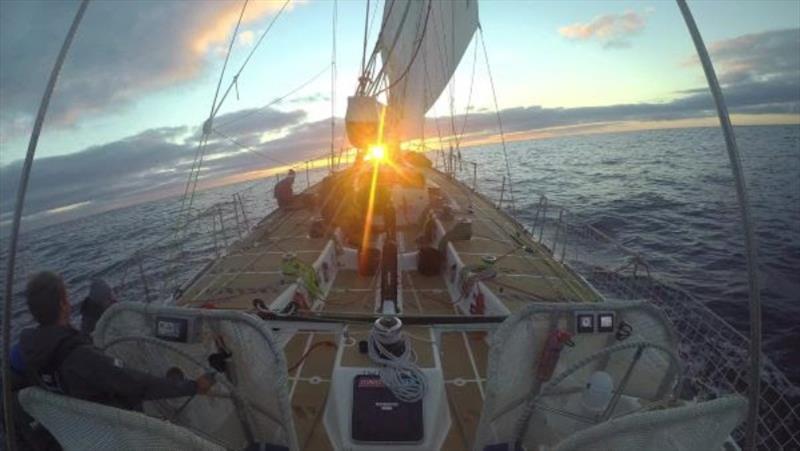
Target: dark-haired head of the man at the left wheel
pixel 47 299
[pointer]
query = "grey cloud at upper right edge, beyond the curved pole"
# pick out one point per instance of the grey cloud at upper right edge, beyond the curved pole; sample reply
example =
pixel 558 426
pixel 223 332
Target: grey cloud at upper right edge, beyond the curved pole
pixel 772 56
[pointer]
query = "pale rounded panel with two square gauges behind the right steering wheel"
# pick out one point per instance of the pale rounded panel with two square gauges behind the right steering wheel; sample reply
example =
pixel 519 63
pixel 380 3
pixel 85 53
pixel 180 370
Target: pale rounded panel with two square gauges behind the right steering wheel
pixel 542 410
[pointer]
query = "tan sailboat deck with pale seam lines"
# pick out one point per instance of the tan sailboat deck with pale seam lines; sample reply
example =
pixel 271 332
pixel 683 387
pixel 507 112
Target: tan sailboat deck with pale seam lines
pixel 252 269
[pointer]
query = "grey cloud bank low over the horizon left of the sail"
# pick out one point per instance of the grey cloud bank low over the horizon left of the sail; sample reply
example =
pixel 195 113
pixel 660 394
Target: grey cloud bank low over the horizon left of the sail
pixel 152 163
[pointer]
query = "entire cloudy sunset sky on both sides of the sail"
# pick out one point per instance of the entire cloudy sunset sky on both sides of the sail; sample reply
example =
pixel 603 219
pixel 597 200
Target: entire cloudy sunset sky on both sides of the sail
pixel 140 78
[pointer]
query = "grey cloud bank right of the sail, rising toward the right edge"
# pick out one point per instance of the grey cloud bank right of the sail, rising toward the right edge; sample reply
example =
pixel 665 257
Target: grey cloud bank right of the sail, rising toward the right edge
pixel 761 74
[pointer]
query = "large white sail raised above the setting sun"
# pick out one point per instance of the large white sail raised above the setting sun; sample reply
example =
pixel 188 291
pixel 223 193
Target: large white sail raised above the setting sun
pixel 421 45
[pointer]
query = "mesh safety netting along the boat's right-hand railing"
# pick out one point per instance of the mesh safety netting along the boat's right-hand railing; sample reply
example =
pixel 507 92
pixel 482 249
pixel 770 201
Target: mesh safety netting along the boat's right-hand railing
pixel 715 355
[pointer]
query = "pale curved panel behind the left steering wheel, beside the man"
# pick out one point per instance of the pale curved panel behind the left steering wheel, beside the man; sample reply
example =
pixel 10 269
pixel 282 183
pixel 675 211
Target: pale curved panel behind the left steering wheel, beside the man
pixel 249 403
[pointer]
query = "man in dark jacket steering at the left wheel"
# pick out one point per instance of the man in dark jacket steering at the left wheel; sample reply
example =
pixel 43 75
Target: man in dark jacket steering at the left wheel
pixel 63 359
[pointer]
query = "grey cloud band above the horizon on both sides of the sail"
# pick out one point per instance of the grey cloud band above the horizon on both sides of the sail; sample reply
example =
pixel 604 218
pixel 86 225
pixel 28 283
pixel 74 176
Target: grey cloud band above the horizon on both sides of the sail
pixel 156 162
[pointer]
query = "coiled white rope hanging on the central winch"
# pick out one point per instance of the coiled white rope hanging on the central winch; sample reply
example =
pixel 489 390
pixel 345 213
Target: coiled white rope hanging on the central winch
pixel 399 373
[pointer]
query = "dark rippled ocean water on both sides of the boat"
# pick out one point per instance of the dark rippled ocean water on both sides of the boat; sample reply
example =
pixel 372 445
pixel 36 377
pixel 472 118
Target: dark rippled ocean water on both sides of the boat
pixel 667 194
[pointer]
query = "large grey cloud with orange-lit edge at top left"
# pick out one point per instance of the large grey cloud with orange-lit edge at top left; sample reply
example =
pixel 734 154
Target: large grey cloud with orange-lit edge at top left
pixel 122 51
